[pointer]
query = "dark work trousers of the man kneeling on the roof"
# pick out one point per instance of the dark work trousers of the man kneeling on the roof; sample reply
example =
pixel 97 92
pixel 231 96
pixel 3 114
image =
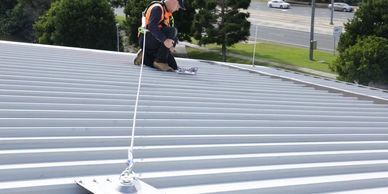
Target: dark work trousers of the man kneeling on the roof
pixel 156 51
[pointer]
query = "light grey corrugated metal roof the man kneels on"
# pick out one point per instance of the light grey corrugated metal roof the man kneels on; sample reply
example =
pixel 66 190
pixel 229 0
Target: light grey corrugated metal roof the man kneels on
pixel 66 113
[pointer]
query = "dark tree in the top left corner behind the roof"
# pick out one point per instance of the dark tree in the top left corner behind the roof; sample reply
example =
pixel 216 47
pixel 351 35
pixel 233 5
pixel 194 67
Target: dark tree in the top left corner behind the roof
pixel 17 17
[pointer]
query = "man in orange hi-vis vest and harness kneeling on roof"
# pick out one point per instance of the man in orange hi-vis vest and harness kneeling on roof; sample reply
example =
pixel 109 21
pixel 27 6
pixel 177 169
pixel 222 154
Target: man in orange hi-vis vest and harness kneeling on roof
pixel 161 35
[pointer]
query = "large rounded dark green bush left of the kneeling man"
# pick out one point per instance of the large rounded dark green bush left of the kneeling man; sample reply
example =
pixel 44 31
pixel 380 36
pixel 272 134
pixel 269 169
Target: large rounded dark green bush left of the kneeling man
pixel 78 23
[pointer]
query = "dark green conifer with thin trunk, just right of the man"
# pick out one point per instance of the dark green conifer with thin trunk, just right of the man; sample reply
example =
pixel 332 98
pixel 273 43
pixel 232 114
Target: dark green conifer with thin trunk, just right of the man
pixel 221 22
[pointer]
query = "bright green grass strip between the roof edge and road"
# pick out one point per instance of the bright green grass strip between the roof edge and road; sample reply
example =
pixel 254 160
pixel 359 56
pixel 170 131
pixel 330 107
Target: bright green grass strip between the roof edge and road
pixel 279 53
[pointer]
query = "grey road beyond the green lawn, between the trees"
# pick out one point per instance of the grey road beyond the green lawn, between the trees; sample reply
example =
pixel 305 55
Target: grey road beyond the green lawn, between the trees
pixel 271 28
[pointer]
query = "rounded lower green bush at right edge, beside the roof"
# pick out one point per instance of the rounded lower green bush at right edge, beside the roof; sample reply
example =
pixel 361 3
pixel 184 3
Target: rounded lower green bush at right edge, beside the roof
pixel 364 62
